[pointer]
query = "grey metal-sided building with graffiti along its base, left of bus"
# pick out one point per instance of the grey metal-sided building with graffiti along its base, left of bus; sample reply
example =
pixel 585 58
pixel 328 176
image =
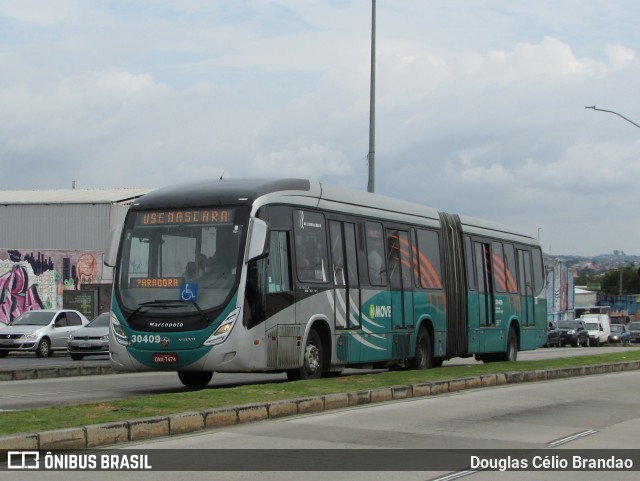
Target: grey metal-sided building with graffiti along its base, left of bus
pixel 52 242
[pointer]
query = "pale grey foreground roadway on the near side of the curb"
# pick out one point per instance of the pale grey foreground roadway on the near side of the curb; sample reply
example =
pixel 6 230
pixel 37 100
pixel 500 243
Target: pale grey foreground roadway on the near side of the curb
pixel 561 417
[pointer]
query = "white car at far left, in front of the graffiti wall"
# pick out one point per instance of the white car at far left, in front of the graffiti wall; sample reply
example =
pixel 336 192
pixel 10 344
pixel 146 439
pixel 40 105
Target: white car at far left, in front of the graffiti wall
pixel 42 331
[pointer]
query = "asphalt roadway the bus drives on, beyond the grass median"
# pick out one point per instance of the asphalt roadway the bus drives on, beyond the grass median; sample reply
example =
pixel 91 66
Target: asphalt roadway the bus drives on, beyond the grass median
pixel 59 391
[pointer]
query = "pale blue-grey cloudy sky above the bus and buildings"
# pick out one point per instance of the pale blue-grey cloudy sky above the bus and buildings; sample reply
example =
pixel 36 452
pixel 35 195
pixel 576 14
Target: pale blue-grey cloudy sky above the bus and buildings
pixel 480 104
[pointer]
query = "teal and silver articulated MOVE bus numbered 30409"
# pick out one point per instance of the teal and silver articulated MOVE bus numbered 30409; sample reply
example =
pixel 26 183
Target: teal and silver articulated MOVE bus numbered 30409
pixel 306 278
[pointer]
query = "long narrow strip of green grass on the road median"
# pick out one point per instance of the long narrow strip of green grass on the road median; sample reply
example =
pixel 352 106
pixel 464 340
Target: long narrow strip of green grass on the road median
pixel 43 419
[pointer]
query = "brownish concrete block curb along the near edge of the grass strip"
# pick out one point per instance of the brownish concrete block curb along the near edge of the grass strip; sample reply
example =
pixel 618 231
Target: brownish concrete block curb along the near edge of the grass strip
pixel 99 435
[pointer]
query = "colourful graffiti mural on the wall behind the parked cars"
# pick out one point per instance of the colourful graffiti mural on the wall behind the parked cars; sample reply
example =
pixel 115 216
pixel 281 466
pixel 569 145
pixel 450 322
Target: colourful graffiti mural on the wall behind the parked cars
pixel 36 280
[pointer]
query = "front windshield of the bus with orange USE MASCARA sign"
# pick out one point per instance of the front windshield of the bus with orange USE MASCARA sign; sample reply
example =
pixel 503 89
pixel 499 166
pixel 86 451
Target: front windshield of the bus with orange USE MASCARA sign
pixel 182 259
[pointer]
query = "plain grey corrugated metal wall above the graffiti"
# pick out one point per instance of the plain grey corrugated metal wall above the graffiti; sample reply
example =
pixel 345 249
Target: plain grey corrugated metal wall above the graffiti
pixel 58 226
